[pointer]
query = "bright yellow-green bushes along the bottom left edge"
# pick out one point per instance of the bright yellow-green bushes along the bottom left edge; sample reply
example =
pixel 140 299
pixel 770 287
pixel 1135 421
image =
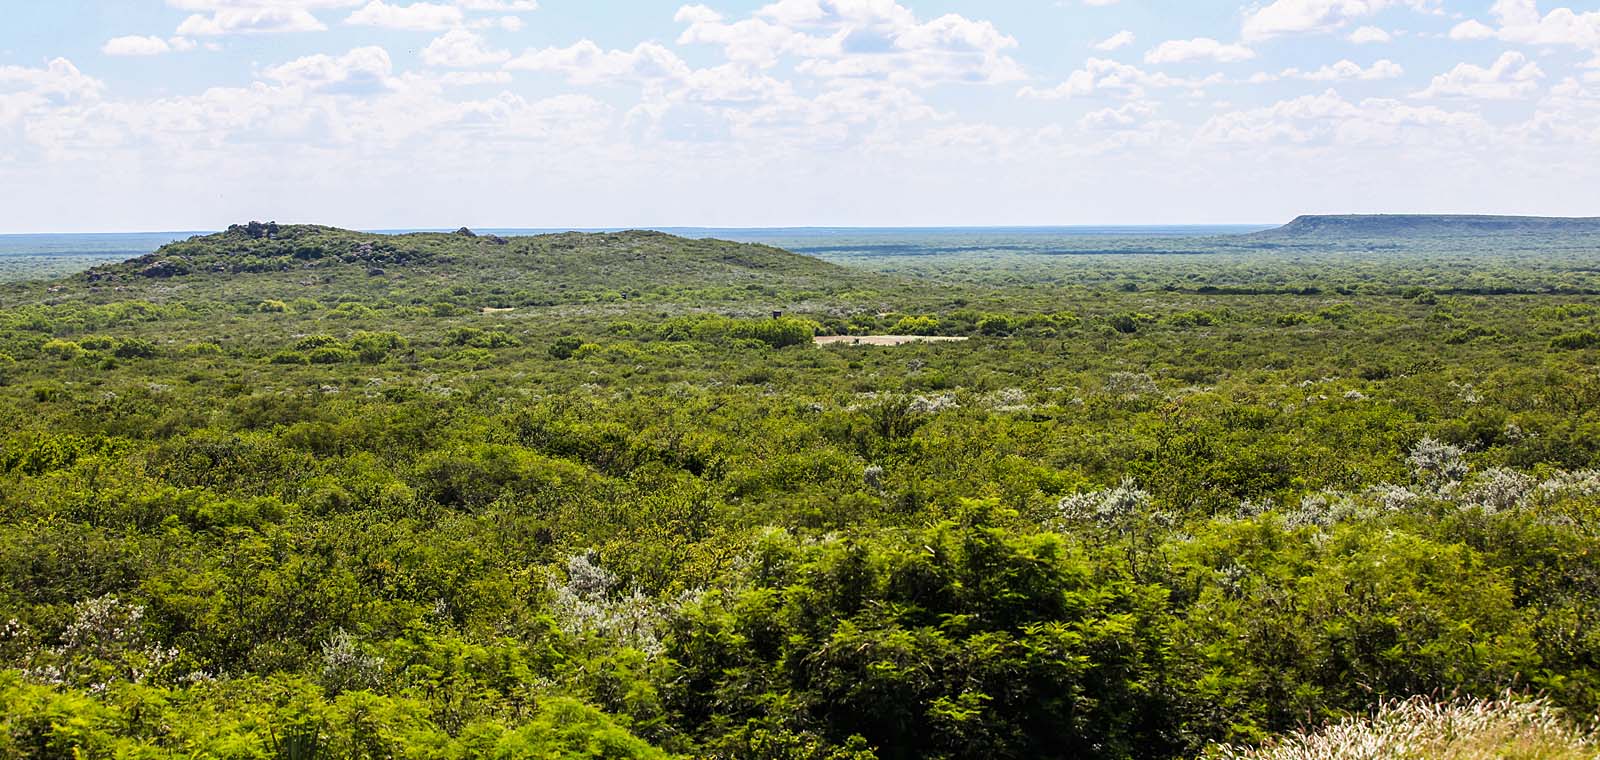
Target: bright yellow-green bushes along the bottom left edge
pixel 287 718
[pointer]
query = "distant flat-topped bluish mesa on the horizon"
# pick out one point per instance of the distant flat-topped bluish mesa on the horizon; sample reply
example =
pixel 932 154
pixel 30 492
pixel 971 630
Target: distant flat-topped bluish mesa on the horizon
pixel 1431 226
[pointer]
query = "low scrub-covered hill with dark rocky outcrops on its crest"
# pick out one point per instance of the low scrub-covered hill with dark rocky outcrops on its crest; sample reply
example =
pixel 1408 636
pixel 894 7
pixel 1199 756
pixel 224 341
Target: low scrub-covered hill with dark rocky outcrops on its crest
pixel 519 271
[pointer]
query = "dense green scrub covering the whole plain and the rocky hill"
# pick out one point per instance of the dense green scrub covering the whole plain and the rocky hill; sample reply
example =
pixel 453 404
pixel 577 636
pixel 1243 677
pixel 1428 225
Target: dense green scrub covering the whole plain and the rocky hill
pixel 294 492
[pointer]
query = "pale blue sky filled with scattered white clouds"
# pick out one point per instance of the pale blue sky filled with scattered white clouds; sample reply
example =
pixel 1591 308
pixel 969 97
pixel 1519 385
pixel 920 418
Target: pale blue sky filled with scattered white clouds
pixel 385 114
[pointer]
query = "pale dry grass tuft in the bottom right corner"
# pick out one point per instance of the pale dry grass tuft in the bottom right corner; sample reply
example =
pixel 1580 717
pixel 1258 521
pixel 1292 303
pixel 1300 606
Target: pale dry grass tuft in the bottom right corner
pixel 1422 729
